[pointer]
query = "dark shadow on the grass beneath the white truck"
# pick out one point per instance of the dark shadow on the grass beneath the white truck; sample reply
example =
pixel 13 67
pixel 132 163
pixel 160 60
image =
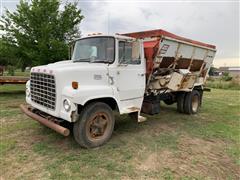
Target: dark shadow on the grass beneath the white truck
pixel 126 128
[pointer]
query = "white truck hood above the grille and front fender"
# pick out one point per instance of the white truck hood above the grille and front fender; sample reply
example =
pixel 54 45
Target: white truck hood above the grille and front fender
pixel 83 72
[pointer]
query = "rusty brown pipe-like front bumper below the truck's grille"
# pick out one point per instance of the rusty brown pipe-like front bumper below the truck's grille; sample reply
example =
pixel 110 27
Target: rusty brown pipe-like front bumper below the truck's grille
pixel 56 127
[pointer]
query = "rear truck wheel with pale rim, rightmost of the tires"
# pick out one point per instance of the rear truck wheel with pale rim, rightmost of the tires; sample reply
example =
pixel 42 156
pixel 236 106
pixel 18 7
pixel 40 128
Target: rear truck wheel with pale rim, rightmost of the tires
pixel 192 102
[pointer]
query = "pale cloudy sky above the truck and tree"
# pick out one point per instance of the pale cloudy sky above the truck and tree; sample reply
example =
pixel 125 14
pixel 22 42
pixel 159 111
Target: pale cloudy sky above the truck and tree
pixel 214 22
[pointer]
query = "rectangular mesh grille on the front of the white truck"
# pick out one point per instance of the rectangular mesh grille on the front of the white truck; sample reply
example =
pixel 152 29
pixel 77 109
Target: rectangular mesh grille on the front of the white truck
pixel 43 90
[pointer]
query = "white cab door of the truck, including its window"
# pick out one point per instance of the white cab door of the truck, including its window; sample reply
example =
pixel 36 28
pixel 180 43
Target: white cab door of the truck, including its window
pixel 130 71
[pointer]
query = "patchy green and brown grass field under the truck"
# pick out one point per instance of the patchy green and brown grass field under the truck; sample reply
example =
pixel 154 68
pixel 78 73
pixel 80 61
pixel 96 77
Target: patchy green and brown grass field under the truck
pixel 167 146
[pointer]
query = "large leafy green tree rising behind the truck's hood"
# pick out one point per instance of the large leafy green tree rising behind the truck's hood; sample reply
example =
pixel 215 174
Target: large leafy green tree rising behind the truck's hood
pixel 39 31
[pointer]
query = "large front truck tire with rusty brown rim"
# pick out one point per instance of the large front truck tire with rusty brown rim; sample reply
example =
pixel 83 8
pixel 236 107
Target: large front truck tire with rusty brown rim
pixel 95 126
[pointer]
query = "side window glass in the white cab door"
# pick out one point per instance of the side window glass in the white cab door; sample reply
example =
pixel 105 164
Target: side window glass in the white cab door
pixel 129 52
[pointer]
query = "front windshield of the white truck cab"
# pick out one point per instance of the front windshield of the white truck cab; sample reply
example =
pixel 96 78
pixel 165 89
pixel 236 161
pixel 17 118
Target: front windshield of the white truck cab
pixel 94 49
